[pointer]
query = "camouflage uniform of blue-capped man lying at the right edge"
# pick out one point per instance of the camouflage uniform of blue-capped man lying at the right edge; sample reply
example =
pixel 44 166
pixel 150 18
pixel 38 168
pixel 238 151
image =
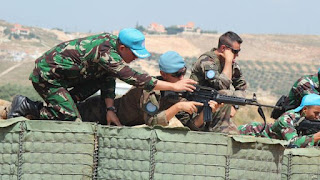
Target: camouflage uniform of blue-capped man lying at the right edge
pixel 283 129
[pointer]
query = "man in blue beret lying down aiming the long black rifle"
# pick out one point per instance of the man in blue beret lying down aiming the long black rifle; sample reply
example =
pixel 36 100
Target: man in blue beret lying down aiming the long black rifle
pixel 139 106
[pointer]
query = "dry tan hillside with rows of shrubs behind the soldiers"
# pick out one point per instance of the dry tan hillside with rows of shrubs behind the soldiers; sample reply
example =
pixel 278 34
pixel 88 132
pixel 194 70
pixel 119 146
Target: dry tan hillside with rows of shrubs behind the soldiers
pixel 270 63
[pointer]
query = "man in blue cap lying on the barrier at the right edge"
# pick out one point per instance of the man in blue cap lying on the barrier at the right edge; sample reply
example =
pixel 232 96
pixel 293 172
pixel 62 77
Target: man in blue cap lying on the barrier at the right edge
pixel 284 126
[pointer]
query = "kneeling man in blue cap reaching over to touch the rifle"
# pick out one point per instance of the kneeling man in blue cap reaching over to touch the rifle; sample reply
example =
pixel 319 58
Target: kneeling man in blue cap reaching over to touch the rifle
pixel 74 70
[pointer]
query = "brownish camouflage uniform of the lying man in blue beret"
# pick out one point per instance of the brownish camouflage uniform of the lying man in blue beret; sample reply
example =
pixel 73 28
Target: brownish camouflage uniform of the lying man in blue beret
pixel 132 108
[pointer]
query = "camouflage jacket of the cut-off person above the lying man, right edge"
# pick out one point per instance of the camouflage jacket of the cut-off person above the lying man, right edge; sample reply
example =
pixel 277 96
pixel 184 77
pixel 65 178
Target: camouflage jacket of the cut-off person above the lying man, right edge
pixel 308 84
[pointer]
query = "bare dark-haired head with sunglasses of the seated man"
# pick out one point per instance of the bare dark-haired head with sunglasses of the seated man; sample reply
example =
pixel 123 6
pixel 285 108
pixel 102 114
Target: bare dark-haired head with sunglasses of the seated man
pixel 230 40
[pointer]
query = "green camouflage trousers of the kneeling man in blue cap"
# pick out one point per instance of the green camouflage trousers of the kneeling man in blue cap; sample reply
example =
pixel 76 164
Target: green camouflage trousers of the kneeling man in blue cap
pixel 60 102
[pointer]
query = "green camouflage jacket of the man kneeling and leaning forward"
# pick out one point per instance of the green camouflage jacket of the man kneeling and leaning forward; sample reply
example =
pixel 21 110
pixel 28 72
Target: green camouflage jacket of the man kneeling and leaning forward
pixel 80 60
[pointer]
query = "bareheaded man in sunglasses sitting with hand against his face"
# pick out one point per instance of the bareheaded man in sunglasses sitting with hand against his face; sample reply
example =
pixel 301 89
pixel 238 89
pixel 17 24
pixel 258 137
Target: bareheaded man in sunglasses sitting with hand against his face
pixel 218 69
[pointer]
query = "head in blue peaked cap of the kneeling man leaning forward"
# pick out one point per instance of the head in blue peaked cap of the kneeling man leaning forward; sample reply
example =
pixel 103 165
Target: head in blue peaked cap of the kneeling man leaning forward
pixel 130 45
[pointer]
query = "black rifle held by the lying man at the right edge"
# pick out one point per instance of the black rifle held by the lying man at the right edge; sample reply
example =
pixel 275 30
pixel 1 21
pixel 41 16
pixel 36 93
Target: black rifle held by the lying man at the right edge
pixel 307 127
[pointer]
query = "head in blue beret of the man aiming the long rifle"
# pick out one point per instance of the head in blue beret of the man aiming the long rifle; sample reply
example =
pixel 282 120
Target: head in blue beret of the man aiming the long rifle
pixel 172 66
